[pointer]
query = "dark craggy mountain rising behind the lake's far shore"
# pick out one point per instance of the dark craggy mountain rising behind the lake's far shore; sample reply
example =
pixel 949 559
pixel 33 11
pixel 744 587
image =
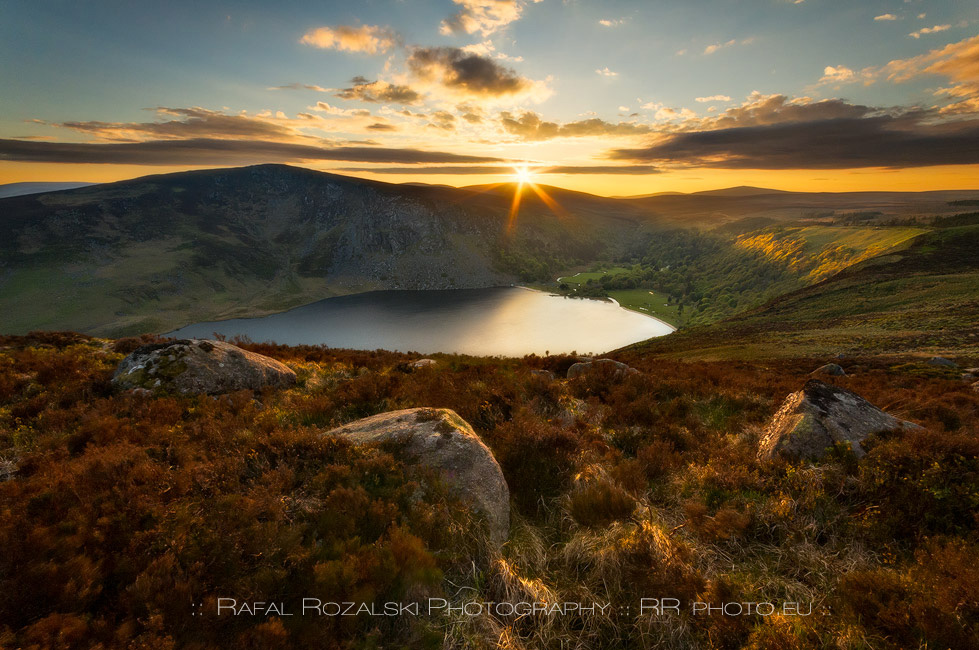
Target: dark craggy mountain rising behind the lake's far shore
pixel 158 252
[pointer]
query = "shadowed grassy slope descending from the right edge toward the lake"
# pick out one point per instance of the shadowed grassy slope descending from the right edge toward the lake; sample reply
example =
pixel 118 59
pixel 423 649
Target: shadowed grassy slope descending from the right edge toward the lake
pixel 923 297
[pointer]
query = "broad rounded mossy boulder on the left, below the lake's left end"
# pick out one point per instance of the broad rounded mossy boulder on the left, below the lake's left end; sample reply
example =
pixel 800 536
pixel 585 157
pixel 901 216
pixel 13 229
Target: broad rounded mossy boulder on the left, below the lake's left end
pixel 193 366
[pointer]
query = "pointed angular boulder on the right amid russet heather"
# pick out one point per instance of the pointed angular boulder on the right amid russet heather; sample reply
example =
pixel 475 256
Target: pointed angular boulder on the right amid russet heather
pixel 819 416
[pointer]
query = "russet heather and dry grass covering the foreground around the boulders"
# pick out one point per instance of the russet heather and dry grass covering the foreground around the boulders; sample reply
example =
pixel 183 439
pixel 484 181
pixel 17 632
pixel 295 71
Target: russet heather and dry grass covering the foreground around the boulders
pixel 125 517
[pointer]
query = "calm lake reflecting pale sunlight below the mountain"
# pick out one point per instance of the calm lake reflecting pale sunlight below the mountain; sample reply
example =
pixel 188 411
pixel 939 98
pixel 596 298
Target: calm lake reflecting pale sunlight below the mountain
pixel 507 321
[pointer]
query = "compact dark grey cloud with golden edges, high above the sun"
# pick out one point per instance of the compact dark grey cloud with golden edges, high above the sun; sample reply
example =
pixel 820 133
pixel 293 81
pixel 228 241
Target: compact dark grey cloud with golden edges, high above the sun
pixel 465 72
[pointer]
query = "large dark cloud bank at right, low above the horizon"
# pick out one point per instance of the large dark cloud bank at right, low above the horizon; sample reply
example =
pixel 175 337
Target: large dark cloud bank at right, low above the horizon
pixel 773 132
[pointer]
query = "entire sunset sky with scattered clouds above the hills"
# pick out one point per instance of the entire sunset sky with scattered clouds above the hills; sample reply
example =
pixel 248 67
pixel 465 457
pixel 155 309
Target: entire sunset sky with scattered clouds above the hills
pixel 614 98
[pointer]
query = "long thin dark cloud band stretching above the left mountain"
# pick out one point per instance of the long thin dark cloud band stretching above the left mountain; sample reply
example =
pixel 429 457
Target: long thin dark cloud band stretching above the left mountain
pixel 216 152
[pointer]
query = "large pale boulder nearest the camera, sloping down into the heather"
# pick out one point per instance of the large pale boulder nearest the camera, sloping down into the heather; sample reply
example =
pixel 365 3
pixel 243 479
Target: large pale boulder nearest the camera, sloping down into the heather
pixel 440 439
